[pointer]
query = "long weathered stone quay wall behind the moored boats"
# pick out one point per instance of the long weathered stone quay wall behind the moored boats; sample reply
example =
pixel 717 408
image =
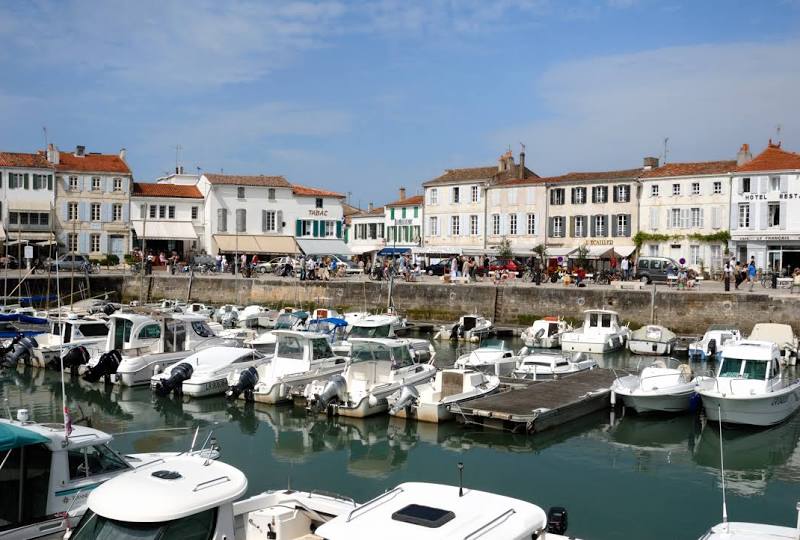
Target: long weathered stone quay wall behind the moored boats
pixel 685 312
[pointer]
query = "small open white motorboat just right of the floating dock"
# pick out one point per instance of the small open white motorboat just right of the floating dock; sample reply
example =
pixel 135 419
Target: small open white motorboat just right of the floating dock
pixel 659 387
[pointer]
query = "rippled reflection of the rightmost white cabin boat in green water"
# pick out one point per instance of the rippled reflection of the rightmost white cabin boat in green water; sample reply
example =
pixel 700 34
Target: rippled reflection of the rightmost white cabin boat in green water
pixel 753 457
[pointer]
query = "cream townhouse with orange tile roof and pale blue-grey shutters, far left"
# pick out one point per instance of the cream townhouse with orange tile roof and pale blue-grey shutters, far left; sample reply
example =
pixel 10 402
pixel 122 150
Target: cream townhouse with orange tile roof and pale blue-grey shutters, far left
pixel 92 201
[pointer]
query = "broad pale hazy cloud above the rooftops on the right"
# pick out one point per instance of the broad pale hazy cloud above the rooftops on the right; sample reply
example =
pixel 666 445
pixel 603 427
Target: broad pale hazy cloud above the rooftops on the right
pixel 610 111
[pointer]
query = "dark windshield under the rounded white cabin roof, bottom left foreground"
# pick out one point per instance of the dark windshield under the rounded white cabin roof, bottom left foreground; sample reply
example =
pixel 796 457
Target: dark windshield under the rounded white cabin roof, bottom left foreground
pixel 198 526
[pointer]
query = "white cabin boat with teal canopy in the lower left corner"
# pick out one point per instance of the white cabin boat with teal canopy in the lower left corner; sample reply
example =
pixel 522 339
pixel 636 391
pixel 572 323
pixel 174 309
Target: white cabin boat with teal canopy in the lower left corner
pixel 47 475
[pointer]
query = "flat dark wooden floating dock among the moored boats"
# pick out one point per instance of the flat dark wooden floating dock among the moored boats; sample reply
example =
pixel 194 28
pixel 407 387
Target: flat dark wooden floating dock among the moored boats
pixel 532 406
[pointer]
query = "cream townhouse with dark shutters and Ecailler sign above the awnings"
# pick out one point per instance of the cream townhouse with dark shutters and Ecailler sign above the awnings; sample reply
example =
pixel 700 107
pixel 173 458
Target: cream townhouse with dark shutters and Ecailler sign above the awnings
pixel 595 210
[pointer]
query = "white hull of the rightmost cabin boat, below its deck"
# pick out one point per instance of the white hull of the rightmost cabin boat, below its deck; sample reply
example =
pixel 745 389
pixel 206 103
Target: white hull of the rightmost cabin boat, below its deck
pixel 766 410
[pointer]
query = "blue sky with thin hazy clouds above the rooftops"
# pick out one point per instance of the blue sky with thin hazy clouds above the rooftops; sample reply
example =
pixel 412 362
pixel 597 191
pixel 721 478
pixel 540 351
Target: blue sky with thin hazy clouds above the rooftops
pixel 363 97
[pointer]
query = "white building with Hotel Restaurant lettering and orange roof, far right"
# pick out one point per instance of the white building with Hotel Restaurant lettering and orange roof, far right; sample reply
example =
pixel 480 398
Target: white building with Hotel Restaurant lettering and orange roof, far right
pixel 765 209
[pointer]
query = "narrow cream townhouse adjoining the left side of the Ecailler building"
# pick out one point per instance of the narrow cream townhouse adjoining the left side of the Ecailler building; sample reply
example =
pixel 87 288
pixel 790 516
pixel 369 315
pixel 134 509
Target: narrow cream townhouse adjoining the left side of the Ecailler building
pixel 515 212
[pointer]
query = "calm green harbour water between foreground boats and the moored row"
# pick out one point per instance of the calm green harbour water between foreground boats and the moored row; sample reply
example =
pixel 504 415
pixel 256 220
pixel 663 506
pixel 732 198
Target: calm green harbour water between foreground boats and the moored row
pixel 619 477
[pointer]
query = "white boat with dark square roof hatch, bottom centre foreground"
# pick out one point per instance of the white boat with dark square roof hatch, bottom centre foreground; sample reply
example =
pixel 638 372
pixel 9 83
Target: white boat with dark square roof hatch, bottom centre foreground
pixel 435 511
